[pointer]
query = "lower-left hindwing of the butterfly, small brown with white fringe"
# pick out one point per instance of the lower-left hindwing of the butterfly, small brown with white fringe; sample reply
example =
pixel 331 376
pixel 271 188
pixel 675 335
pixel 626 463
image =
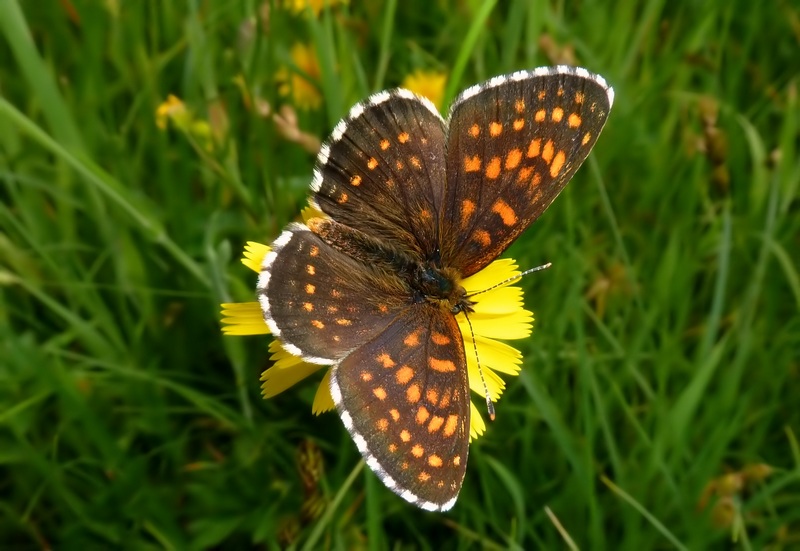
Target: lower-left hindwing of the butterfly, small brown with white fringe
pixel 320 302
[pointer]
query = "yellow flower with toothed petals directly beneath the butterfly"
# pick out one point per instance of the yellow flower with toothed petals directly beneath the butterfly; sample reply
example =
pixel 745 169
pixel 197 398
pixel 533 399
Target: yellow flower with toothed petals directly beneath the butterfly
pixel 498 315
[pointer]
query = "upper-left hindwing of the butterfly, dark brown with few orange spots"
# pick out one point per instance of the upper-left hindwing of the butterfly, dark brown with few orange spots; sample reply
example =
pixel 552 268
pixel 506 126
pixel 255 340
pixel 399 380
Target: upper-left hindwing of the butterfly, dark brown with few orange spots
pixel 382 171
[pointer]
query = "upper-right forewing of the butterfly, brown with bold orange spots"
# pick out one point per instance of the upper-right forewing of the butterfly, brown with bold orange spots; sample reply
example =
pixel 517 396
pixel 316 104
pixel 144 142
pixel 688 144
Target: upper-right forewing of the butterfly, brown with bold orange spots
pixel 513 144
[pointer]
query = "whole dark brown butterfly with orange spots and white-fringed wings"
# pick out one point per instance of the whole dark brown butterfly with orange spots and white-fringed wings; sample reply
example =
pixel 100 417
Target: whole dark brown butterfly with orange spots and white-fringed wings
pixel 414 203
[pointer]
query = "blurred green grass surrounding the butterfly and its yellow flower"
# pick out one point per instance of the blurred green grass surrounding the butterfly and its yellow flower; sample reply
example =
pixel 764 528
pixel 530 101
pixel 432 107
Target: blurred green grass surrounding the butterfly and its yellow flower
pixel 666 352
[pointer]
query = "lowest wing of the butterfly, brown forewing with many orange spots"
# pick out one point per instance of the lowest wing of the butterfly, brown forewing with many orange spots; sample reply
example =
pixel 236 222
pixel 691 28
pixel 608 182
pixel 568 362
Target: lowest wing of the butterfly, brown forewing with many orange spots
pixel 404 398
